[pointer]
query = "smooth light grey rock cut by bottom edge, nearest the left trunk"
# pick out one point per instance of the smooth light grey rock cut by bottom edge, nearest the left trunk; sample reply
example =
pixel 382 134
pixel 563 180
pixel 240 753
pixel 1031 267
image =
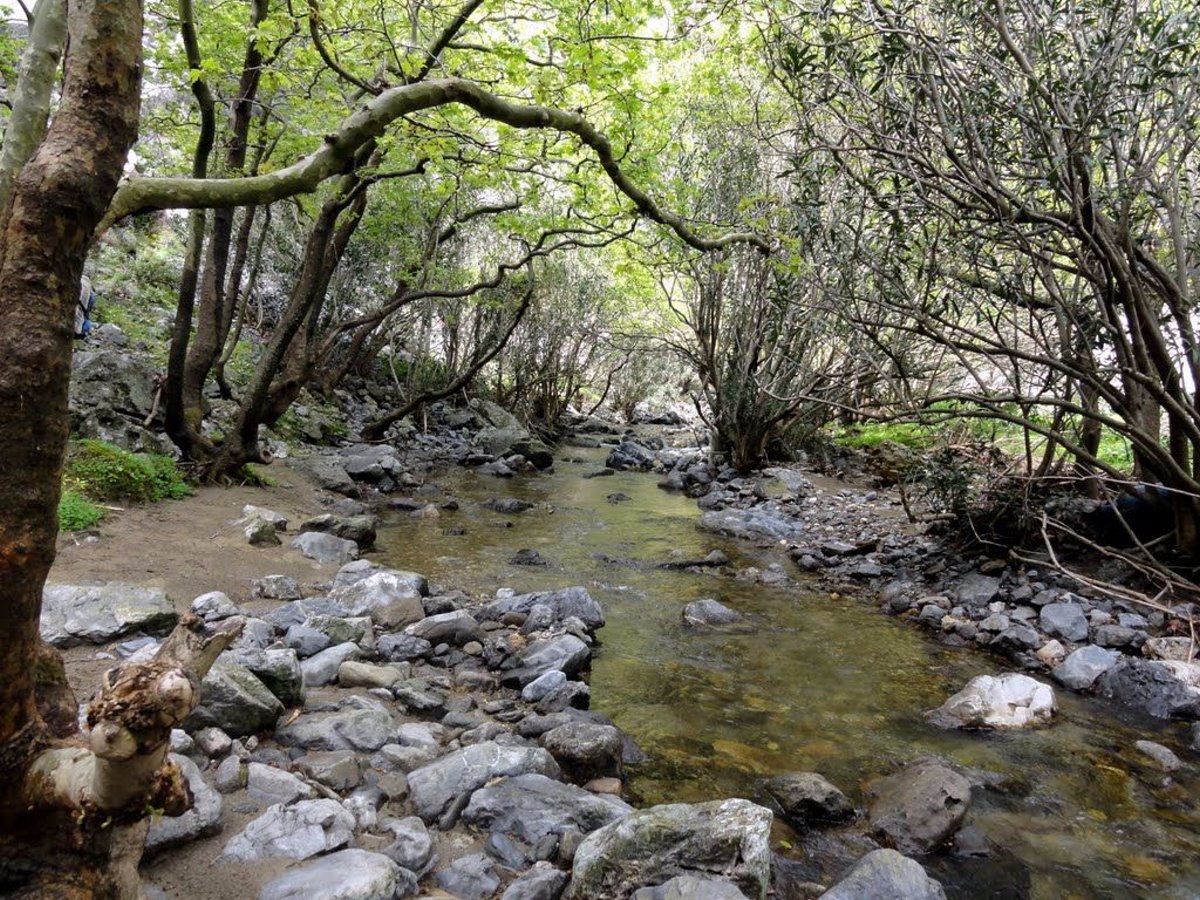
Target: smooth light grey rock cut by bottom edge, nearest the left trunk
pixel 346 875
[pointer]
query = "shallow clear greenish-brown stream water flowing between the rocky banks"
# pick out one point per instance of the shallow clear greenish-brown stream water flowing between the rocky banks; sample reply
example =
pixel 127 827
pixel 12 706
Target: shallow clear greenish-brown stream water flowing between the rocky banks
pixel 817 685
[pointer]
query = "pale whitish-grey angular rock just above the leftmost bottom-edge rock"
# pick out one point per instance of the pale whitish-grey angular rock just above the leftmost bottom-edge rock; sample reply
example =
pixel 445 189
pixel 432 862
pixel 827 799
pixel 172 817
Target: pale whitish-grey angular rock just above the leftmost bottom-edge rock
pixel 298 832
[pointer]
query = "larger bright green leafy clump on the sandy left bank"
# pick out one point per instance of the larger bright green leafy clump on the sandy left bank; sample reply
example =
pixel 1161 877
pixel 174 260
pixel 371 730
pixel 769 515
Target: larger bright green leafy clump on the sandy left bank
pixel 106 472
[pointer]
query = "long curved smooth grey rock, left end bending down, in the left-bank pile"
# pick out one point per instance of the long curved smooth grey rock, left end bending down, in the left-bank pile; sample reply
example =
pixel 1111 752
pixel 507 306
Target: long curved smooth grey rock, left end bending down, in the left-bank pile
pixel 434 788
